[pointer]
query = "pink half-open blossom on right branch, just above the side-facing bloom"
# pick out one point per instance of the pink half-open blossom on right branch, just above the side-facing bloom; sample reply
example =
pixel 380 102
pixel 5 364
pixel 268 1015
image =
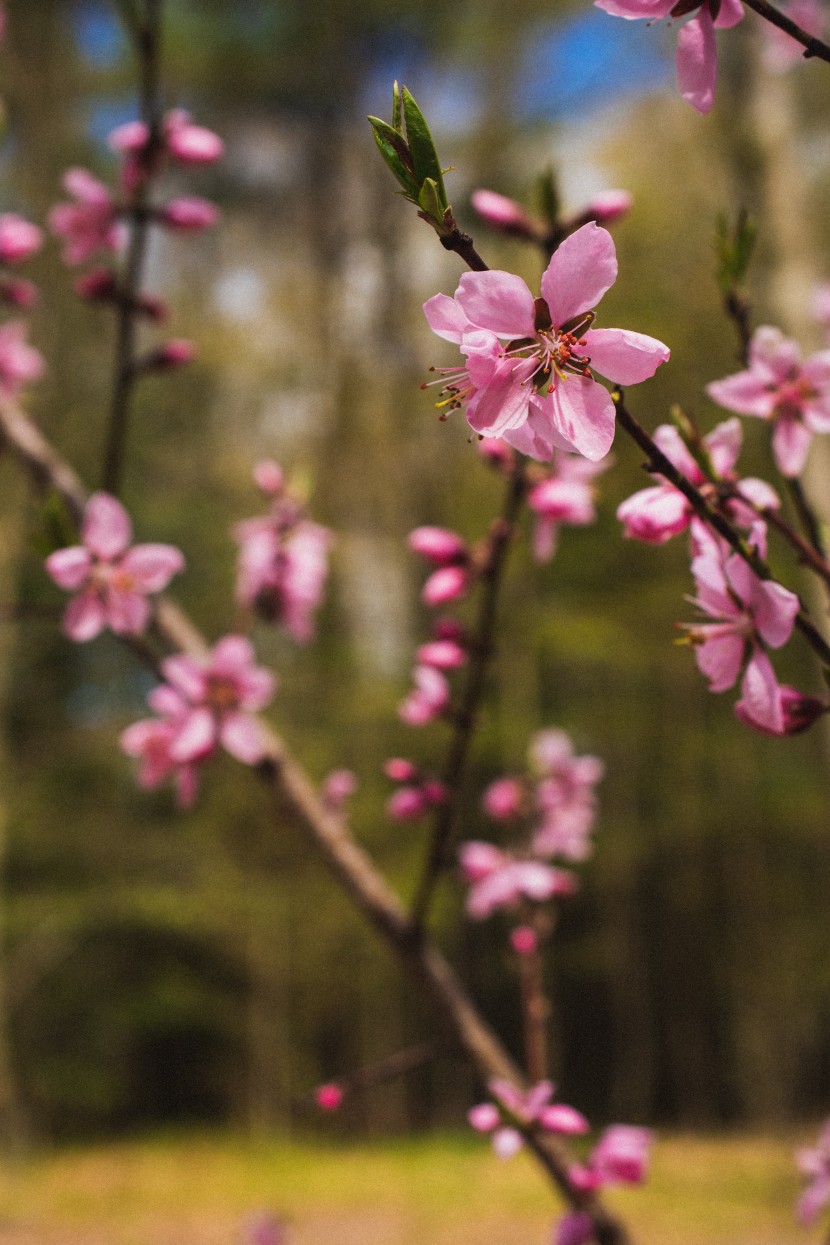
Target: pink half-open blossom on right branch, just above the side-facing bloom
pixel 659 514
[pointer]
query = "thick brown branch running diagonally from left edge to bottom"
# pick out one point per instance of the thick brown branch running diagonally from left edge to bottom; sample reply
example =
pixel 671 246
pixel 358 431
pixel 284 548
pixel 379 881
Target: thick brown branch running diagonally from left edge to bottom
pixel 296 795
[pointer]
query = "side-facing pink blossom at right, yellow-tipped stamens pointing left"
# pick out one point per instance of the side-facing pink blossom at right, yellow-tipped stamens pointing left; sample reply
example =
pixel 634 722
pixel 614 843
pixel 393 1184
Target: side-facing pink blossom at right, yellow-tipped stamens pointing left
pixel 750 614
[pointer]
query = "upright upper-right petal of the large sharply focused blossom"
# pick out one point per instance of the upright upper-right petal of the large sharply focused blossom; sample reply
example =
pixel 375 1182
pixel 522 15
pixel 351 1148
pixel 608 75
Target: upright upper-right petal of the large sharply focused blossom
pixel 581 272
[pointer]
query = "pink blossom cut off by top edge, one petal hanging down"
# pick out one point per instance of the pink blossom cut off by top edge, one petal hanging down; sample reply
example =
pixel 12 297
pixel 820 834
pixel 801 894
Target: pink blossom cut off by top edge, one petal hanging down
pixel 697 55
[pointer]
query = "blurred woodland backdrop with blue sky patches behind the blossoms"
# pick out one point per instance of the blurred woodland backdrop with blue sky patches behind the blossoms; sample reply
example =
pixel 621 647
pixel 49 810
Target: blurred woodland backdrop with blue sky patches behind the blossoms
pixel 166 968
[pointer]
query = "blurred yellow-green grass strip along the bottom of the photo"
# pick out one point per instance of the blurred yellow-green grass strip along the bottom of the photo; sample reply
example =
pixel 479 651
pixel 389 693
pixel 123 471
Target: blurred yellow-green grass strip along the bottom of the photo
pixel 200 1191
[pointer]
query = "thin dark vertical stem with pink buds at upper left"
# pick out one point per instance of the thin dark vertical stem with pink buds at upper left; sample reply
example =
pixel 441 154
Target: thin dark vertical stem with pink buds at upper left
pixel 147 39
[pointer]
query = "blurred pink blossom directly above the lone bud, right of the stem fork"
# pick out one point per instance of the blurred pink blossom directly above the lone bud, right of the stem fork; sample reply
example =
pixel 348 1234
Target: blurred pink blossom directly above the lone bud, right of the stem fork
pixel 500 881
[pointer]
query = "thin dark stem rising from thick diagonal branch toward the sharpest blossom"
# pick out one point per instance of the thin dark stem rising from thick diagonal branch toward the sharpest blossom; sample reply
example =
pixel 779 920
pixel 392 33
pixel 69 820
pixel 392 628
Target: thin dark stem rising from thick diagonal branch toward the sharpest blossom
pixel 465 720
